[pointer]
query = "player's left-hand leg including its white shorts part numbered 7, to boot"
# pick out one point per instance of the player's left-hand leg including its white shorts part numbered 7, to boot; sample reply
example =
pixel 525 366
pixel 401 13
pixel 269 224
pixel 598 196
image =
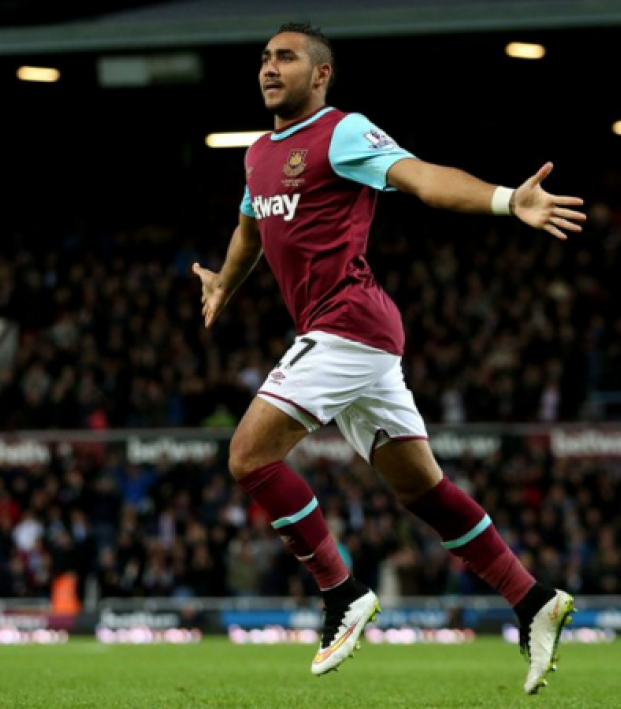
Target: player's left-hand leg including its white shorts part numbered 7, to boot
pixel 320 376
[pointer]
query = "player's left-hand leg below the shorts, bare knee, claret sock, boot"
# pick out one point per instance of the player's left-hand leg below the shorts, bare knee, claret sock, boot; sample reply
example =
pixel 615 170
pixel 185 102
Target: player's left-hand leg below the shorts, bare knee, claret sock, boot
pixel 261 442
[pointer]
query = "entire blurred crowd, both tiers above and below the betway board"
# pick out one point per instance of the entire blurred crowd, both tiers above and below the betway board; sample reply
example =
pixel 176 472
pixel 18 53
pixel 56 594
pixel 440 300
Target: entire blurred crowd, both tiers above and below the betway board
pixel 103 330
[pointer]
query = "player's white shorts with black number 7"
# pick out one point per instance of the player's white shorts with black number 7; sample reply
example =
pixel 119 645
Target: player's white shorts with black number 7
pixel 324 377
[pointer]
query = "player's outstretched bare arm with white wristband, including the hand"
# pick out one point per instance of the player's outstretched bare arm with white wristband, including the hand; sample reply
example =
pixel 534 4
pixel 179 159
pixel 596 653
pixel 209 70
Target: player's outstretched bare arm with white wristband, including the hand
pixel 454 189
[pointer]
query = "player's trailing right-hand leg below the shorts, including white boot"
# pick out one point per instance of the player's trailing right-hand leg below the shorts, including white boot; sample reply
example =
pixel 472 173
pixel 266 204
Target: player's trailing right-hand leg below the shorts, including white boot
pixel 467 531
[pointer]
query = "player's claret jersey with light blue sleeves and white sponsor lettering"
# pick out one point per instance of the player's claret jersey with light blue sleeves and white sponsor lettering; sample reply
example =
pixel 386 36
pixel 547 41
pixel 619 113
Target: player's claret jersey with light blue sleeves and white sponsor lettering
pixel 313 188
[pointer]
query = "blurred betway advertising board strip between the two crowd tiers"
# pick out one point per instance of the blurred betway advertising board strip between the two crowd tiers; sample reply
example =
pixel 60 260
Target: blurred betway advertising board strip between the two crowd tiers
pixel 171 446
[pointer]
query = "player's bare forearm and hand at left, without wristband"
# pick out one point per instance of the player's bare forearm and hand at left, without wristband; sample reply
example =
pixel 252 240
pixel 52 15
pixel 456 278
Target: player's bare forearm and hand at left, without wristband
pixel 241 257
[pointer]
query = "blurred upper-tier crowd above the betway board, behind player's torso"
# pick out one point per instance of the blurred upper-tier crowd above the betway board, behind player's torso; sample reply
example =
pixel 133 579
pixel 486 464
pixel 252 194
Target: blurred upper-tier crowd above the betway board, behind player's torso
pixel 110 334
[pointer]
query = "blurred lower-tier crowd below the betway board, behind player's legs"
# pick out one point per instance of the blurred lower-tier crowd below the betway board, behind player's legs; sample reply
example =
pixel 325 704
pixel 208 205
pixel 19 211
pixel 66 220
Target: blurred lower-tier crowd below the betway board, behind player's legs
pixel 186 530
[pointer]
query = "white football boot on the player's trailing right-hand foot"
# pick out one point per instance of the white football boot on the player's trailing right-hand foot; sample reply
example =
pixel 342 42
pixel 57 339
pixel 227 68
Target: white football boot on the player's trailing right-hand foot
pixel 539 639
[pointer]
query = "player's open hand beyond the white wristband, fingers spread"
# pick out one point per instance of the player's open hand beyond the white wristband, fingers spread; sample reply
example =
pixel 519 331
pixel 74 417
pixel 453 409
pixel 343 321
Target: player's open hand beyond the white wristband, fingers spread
pixel 542 210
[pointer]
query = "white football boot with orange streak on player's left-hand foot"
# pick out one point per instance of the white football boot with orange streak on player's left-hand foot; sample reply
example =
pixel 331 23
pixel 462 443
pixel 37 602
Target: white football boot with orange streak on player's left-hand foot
pixel 343 625
